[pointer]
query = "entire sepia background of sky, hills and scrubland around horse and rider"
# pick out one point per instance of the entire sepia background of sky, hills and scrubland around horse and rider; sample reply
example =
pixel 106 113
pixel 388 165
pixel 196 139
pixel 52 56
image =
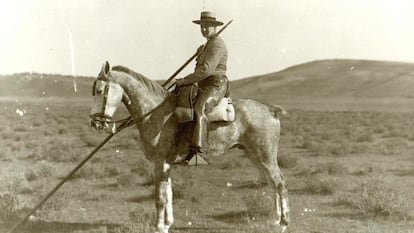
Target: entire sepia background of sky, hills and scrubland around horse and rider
pixel 344 71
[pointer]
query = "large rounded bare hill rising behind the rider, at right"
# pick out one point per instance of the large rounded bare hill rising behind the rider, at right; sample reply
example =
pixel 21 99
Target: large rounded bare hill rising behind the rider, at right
pixel 332 79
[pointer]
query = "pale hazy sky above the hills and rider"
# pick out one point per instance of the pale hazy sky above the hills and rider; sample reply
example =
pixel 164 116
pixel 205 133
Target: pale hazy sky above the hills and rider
pixel 156 37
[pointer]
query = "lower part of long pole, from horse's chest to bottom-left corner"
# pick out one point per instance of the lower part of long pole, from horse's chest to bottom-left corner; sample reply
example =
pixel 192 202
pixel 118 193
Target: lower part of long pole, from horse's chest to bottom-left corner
pixel 121 127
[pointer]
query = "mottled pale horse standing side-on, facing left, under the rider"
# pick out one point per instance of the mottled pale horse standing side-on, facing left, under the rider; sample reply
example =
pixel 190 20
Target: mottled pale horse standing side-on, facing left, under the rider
pixel 256 130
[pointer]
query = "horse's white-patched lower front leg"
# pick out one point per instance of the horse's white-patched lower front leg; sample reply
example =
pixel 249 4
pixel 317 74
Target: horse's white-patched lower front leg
pixel 163 197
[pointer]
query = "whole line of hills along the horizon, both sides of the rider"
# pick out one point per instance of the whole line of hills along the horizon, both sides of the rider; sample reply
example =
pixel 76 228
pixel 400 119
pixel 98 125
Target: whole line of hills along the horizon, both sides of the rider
pixel 332 84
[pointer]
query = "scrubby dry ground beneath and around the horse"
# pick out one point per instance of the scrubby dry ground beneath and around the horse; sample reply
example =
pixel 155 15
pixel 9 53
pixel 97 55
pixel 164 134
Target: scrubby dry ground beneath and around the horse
pixel 346 172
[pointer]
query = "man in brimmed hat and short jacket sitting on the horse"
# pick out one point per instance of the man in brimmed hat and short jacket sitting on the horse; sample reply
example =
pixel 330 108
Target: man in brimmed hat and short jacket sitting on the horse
pixel 210 75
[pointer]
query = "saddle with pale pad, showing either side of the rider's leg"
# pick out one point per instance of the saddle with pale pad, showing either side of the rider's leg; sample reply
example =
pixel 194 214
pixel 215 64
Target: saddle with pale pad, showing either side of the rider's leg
pixel 223 111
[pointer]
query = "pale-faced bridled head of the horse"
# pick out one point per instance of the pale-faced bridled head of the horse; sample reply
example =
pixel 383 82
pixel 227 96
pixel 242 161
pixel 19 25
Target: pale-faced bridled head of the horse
pixel 108 94
